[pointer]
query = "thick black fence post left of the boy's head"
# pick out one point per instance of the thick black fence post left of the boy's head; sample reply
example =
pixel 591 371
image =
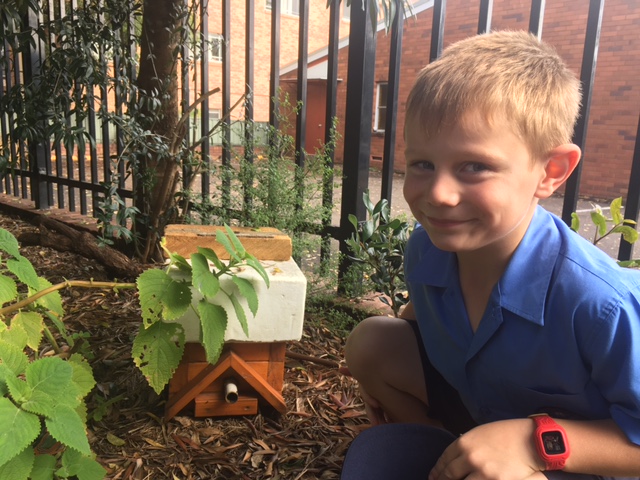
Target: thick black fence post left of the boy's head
pixel 359 109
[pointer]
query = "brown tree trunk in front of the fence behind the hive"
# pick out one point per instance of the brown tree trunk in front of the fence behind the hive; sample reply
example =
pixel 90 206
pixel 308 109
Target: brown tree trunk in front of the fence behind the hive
pixel 158 177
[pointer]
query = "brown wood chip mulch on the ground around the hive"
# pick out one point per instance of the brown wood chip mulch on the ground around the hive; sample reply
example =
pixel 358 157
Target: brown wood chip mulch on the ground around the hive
pixel 127 431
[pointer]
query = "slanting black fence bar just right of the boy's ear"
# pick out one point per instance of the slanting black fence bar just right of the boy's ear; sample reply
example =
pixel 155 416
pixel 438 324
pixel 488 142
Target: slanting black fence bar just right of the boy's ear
pixel 587 75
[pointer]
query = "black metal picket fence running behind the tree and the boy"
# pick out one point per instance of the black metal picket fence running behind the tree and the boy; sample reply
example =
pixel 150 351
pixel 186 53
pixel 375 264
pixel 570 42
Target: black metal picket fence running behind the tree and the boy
pixel 46 173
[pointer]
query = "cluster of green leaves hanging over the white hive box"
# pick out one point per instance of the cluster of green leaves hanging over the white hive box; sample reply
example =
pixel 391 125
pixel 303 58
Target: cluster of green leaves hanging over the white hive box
pixel 165 297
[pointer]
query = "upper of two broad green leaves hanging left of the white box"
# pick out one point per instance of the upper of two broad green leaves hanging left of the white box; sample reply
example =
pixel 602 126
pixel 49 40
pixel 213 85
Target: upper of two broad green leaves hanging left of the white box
pixel 162 297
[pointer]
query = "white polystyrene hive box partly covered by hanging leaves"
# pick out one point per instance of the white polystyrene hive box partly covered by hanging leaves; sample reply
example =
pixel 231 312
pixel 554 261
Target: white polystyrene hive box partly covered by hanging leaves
pixel 280 312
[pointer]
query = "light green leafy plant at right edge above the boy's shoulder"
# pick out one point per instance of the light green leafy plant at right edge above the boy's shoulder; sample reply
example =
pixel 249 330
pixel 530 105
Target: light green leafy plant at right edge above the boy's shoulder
pixel 605 226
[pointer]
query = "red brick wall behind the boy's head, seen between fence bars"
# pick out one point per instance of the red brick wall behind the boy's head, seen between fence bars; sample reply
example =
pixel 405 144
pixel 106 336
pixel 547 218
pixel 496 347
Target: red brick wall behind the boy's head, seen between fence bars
pixel 615 104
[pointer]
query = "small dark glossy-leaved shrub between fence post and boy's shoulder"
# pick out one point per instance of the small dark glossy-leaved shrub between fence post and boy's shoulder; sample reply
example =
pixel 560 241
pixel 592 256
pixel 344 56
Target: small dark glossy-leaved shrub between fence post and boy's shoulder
pixel 379 243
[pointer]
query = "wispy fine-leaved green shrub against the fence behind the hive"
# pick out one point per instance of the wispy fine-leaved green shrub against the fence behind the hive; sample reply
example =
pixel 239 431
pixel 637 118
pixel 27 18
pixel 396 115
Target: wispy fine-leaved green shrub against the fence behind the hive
pixel 267 186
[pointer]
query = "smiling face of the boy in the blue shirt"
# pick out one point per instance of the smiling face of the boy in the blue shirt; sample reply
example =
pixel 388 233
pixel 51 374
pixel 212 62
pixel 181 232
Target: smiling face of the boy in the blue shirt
pixel 472 186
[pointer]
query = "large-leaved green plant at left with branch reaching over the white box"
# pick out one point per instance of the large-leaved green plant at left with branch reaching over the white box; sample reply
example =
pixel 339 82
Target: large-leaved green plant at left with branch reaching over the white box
pixel 42 390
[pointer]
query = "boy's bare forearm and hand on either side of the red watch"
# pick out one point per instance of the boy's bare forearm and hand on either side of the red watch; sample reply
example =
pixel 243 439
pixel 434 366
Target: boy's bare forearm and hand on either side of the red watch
pixel 506 449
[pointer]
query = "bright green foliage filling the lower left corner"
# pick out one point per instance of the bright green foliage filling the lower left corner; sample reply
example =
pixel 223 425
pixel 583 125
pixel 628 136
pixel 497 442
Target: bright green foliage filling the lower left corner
pixel 41 397
